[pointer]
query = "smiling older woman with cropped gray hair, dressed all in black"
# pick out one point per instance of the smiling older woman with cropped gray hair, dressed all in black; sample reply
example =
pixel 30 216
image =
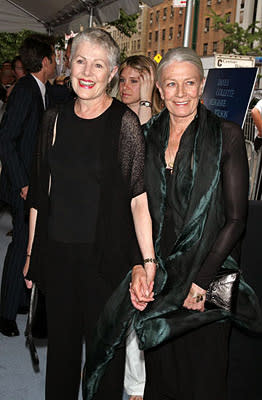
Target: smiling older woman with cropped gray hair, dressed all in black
pixel 87 198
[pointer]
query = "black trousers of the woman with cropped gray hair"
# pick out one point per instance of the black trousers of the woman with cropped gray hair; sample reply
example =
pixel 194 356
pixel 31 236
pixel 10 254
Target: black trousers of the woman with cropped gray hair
pixel 76 294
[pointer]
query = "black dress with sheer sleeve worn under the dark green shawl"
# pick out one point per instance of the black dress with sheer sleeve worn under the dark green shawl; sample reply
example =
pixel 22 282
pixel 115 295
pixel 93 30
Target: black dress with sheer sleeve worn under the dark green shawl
pixel 194 366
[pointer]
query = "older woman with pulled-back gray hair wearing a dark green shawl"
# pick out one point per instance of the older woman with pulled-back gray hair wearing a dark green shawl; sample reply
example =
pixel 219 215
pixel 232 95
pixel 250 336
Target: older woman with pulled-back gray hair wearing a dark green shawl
pixel 196 177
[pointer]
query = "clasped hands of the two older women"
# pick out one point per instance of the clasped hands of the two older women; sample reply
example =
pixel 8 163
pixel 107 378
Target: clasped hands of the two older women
pixel 141 287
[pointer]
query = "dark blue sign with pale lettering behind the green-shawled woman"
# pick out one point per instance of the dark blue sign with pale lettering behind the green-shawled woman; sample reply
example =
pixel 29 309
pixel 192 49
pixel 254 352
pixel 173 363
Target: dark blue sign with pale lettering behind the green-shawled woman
pixel 228 92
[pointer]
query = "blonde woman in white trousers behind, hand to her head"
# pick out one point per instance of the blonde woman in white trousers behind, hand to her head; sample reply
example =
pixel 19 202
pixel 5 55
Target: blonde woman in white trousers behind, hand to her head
pixel 137 77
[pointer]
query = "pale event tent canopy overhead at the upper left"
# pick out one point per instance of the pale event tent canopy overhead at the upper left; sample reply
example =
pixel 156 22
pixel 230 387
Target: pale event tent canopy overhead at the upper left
pixel 62 16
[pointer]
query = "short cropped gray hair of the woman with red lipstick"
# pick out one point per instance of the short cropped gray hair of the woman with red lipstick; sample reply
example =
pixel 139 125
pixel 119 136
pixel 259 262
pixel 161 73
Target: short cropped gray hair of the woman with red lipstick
pixel 100 37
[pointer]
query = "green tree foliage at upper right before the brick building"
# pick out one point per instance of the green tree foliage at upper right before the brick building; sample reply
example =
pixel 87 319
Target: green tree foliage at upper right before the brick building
pixel 239 40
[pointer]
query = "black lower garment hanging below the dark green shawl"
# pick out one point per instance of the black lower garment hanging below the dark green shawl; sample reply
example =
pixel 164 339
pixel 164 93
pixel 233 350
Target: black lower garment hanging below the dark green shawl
pixel 191 367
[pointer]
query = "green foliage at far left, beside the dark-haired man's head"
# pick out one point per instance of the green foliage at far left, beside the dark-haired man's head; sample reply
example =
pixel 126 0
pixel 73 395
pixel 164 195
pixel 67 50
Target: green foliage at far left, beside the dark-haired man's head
pixel 10 44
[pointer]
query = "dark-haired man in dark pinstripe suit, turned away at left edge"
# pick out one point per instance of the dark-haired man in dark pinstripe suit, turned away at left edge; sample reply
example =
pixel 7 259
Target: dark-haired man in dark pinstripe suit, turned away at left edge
pixel 18 135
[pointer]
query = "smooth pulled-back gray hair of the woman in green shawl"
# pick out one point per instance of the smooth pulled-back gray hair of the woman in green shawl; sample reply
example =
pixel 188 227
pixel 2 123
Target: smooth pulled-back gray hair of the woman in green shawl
pixel 180 54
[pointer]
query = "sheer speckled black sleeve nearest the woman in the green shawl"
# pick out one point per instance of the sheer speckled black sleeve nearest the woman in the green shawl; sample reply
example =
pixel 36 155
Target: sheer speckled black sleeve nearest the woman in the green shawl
pixel 132 153
